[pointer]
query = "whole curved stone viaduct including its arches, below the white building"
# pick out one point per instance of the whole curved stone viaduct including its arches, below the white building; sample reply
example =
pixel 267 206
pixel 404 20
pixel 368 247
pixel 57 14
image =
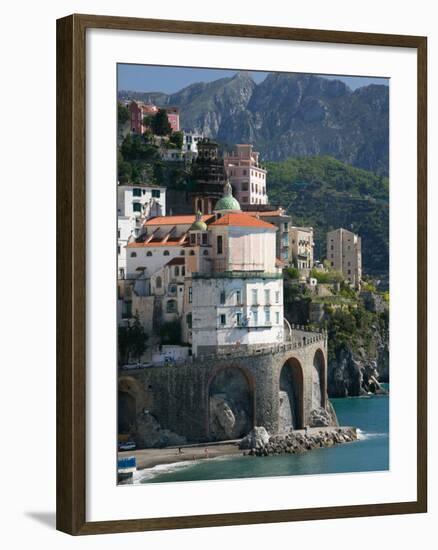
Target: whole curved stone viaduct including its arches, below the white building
pixel 276 386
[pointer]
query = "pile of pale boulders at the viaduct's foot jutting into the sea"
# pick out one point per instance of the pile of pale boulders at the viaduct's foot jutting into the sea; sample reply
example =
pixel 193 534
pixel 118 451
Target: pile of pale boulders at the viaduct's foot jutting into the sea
pixel 259 443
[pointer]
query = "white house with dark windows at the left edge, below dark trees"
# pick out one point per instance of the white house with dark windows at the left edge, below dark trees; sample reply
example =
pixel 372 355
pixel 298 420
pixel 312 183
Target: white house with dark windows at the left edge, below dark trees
pixel 144 201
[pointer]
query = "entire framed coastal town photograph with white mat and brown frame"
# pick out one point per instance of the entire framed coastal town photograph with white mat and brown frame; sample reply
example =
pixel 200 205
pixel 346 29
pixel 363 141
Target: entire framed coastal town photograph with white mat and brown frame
pixel 241 259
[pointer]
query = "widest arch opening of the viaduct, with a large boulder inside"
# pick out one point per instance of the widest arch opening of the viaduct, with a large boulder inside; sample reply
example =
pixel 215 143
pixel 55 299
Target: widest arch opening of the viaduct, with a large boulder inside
pixel 230 403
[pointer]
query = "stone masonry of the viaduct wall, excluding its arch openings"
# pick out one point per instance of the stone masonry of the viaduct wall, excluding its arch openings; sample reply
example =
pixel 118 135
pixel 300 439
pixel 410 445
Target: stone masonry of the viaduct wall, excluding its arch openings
pixel 178 396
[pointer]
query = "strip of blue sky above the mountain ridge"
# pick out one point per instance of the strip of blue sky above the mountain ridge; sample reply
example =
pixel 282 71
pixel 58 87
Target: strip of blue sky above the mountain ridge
pixel 148 78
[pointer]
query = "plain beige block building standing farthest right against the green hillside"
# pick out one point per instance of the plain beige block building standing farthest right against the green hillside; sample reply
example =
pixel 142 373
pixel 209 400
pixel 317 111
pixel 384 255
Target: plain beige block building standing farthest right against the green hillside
pixel 345 254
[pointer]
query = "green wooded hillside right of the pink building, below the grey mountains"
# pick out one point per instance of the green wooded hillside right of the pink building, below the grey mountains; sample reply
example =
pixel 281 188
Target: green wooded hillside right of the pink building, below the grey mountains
pixel 325 193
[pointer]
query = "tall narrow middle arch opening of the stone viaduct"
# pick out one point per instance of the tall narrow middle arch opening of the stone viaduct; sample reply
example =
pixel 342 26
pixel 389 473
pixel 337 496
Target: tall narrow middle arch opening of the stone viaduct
pixel 291 395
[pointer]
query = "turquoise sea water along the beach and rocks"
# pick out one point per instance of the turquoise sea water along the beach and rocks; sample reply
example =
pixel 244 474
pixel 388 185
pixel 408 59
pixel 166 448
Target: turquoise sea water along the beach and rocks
pixel 369 453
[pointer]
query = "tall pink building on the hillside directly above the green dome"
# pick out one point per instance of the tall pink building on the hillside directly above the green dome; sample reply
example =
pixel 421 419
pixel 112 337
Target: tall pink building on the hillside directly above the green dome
pixel 246 176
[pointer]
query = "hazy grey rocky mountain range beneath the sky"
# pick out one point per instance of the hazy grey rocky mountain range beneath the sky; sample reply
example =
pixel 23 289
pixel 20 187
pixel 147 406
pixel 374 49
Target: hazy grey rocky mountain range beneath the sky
pixel 288 115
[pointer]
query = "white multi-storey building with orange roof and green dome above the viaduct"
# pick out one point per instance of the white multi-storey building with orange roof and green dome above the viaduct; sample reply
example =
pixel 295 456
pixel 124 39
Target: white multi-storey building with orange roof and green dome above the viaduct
pixel 234 287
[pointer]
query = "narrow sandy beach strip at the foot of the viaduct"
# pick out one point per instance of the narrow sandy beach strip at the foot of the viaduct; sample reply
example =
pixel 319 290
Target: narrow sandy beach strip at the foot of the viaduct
pixel 148 458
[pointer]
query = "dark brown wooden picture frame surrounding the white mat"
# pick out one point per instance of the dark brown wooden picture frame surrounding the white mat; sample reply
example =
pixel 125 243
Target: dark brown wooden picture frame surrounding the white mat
pixel 71 273
